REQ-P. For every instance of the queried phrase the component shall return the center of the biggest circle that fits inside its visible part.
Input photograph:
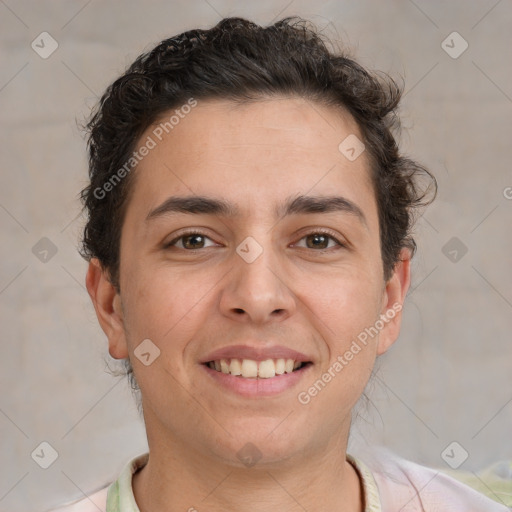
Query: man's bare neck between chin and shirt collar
(181, 478)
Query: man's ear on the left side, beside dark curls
(107, 303)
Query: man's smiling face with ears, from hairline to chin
(275, 256)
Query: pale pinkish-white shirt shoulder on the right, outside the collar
(405, 485)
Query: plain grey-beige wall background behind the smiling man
(448, 378)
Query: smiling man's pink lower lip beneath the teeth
(257, 387)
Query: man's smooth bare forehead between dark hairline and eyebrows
(253, 155)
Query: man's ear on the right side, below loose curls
(392, 301)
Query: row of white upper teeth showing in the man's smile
(250, 369)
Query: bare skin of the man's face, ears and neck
(190, 303)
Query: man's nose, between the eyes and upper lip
(257, 292)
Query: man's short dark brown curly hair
(241, 61)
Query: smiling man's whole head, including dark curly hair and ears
(246, 189)
